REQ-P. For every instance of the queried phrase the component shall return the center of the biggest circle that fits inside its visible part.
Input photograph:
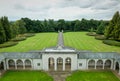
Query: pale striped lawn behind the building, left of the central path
(38, 42)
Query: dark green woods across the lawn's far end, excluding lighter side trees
(52, 25)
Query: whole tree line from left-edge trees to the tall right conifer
(10, 29)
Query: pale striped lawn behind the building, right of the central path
(81, 41)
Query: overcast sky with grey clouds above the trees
(59, 9)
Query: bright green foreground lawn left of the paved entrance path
(25, 76)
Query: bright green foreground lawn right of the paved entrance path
(92, 76)
